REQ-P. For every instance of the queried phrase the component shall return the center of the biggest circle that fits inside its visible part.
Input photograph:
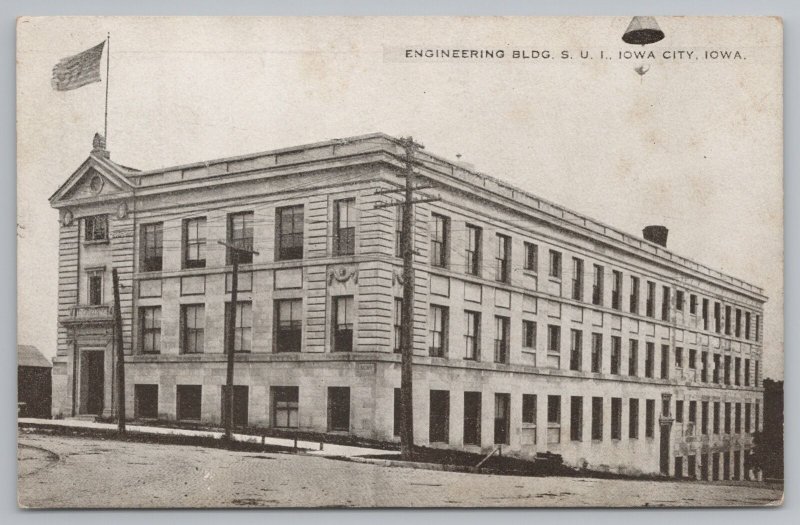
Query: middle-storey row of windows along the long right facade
(438, 347)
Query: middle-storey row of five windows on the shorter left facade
(287, 334)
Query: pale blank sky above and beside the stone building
(694, 144)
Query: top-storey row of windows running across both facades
(289, 246)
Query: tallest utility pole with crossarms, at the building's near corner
(407, 331)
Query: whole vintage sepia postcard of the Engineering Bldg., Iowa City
(400, 262)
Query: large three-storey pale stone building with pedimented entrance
(535, 328)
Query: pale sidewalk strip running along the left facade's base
(307, 447)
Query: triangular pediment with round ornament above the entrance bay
(94, 179)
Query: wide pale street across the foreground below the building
(57, 471)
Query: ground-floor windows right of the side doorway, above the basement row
(729, 413)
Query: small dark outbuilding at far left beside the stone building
(34, 382)
